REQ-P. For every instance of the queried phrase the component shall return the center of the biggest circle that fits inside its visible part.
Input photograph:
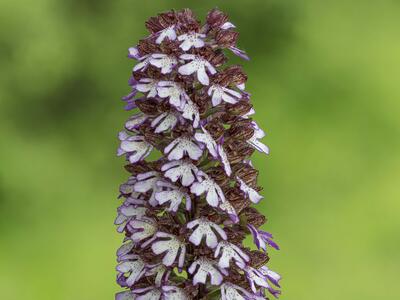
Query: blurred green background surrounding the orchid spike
(324, 78)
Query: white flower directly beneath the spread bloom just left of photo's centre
(183, 170)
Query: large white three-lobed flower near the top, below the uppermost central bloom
(197, 65)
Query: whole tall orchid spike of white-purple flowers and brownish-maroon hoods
(185, 215)
